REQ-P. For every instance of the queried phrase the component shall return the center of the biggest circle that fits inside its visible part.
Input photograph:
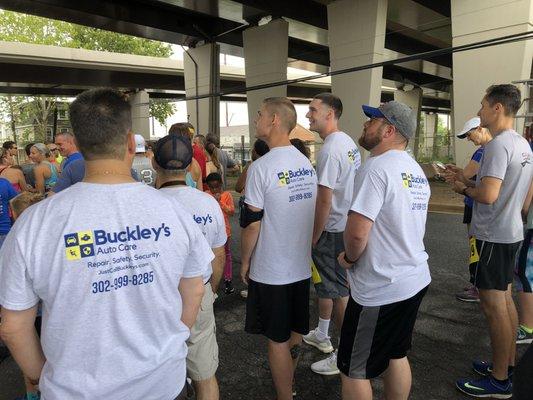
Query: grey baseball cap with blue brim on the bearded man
(398, 114)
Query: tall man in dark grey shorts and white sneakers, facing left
(337, 164)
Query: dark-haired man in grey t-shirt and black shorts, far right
(496, 233)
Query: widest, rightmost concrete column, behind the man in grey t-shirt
(475, 70)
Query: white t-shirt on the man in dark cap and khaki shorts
(205, 211)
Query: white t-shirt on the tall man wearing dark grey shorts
(336, 166)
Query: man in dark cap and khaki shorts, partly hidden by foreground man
(173, 154)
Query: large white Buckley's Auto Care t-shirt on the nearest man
(107, 269)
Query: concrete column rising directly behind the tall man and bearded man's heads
(356, 32)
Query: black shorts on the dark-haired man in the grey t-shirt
(492, 264)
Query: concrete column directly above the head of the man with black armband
(265, 58)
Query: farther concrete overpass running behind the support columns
(58, 71)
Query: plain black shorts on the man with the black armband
(277, 310)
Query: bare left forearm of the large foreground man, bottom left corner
(18, 332)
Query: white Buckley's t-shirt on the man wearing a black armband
(283, 184)
